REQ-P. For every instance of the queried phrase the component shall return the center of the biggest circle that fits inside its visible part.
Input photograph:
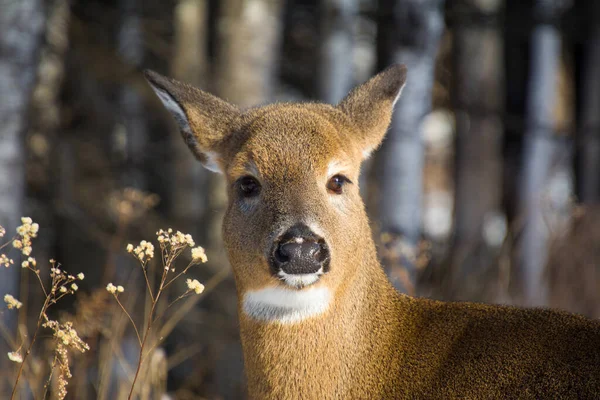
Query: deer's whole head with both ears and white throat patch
(295, 221)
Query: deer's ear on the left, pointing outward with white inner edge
(203, 119)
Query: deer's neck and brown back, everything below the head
(378, 344)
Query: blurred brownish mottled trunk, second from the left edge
(41, 139)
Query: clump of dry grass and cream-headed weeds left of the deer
(111, 345)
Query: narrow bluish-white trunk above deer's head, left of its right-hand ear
(336, 72)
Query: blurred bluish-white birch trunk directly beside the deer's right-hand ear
(408, 33)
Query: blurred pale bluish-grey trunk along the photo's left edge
(21, 28)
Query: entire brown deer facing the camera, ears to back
(318, 316)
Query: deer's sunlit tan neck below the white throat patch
(339, 352)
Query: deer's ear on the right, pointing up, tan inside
(371, 104)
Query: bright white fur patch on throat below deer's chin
(286, 306)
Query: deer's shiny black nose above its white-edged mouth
(299, 251)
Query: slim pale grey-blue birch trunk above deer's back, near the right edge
(541, 150)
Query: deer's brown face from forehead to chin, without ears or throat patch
(295, 216)
